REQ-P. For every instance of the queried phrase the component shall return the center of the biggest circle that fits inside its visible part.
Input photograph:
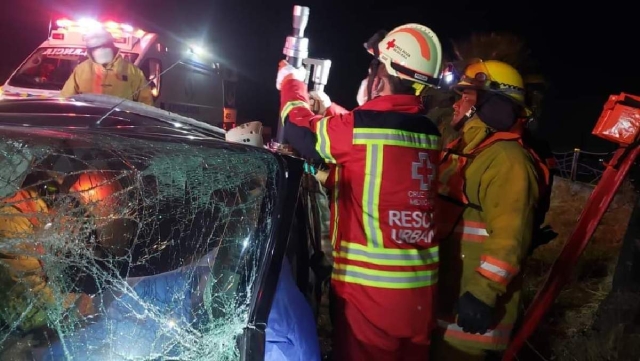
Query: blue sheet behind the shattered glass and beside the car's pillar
(127, 326)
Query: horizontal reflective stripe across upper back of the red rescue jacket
(370, 136)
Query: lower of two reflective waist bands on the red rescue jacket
(384, 279)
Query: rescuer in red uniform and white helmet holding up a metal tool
(383, 190)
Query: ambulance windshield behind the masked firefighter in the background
(49, 68)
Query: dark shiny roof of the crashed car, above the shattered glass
(101, 112)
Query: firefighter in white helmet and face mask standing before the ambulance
(107, 72)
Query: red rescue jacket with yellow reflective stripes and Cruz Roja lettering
(385, 253)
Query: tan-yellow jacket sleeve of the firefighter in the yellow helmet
(508, 197)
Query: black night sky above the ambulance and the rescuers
(586, 52)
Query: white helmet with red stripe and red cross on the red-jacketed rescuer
(413, 52)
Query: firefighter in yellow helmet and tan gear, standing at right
(489, 189)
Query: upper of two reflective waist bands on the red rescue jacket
(388, 256)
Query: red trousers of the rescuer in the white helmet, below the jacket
(356, 339)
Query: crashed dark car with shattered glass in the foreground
(131, 233)
